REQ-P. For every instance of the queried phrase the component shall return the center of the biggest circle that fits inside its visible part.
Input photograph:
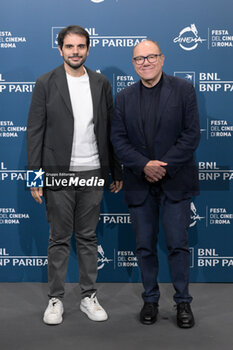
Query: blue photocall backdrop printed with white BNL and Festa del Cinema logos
(196, 38)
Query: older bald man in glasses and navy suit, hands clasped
(155, 133)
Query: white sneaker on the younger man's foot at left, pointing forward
(54, 311)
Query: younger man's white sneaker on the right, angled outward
(92, 308)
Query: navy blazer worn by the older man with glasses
(173, 140)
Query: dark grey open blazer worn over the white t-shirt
(51, 124)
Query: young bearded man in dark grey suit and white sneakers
(68, 132)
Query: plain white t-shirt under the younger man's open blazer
(85, 154)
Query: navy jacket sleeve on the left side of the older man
(127, 153)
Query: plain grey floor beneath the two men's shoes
(22, 306)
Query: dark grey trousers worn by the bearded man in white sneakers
(73, 210)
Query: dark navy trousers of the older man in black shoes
(175, 217)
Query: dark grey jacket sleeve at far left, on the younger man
(36, 127)
